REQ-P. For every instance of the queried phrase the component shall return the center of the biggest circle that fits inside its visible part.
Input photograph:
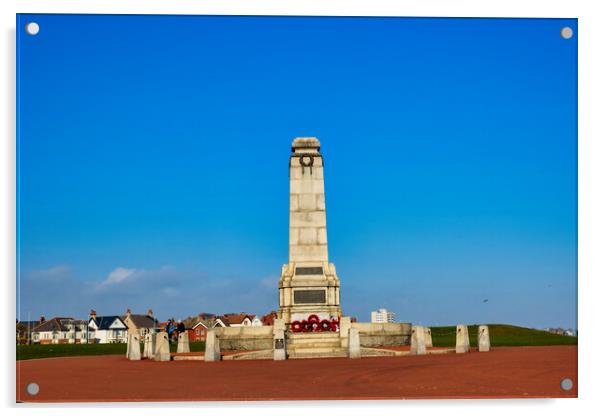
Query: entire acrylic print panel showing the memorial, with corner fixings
(174, 178)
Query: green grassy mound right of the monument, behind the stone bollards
(501, 336)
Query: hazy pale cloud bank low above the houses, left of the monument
(168, 290)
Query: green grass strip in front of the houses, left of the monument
(27, 352)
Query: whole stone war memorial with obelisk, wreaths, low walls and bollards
(310, 321)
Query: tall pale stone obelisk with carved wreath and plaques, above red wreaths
(309, 284)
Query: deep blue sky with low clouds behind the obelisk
(153, 156)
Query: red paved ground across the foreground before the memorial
(503, 372)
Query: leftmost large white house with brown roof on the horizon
(60, 330)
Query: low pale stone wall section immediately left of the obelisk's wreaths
(245, 338)
